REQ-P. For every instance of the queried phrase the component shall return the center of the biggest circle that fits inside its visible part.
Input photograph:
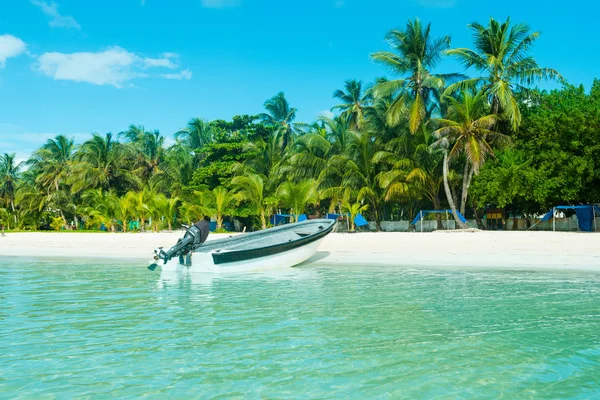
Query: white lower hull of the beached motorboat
(205, 262)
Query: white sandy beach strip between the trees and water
(509, 250)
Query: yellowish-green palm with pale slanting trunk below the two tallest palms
(468, 130)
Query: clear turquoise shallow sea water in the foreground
(74, 330)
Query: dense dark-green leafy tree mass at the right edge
(555, 155)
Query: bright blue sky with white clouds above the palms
(74, 67)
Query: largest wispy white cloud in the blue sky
(114, 66)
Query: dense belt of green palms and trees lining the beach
(420, 139)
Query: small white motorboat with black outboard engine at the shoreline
(277, 247)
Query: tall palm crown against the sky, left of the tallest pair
(417, 52)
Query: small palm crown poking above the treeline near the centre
(281, 116)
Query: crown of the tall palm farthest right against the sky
(502, 55)
